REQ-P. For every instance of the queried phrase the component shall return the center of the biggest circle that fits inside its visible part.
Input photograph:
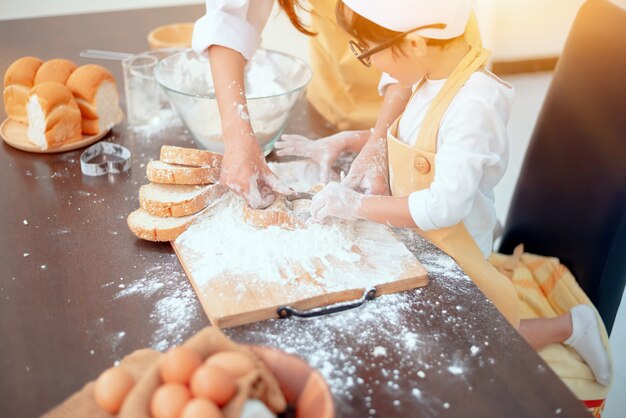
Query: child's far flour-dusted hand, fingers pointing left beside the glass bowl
(323, 151)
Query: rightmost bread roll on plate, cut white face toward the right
(95, 91)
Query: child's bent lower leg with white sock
(578, 329)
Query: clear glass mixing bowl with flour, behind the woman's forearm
(274, 83)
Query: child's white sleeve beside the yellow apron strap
(472, 138)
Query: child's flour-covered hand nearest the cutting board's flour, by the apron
(336, 200)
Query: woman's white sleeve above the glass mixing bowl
(235, 24)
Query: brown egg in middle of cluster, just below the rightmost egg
(214, 384)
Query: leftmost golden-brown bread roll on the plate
(18, 80)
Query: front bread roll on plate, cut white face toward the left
(53, 116)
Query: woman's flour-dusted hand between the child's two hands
(368, 173)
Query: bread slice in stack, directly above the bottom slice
(167, 200)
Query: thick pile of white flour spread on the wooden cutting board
(225, 244)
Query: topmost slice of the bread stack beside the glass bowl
(162, 172)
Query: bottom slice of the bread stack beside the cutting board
(155, 228)
